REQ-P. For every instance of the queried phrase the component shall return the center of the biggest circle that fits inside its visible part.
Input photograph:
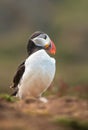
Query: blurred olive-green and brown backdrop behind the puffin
(65, 21)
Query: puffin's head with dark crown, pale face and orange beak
(39, 40)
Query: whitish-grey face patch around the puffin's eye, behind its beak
(42, 40)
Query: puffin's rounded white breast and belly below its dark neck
(38, 75)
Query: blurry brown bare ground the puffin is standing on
(35, 115)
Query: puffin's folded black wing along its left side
(18, 75)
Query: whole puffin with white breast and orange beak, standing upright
(35, 74)
